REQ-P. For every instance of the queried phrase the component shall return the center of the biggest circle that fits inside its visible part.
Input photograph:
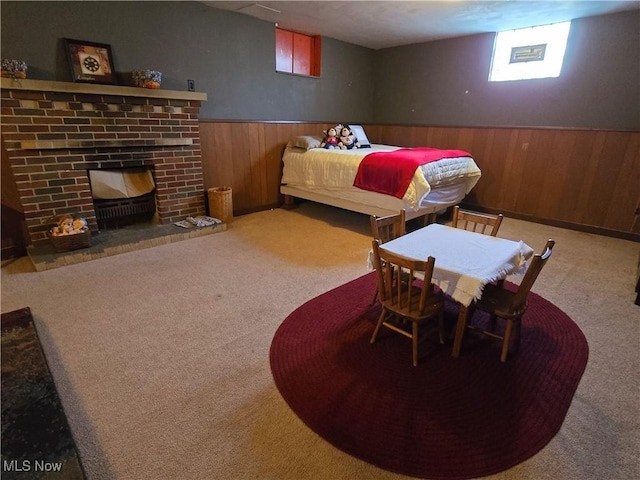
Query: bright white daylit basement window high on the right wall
(535, 52)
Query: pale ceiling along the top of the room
(383, 24)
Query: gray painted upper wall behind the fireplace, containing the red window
(230, 56)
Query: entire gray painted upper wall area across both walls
(231, 58)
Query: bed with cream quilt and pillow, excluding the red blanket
(328, 176)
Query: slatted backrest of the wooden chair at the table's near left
(396, 288)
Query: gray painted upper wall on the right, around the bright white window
(445, 82)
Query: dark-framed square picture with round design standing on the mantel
(90, 62)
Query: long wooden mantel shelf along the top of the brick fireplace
(98, 89)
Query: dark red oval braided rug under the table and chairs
(445, 419)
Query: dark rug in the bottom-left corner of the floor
(36, 439)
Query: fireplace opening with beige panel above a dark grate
(122, 197)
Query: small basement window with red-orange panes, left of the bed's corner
(298, 53)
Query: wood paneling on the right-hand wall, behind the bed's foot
(586, 179)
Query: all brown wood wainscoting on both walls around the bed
(582, 179)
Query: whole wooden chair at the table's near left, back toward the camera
(405, 305)
